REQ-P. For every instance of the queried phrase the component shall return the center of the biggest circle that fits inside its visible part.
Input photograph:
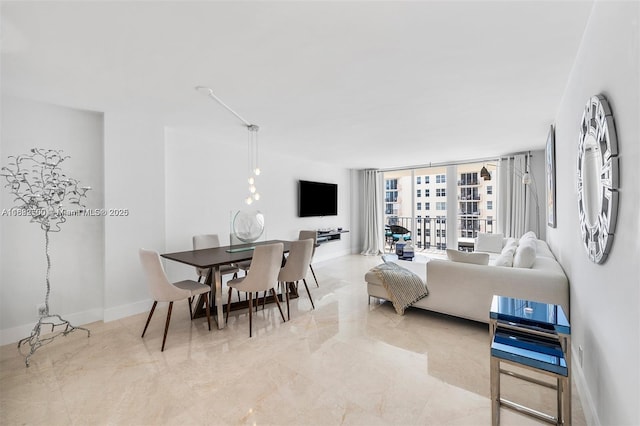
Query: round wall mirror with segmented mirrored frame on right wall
(597, 178)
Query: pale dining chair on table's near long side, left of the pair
(265, 266)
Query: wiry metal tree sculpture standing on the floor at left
(41, 188)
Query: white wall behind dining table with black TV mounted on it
(206, 179)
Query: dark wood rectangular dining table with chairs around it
(212, 259)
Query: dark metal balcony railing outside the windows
(431, 233)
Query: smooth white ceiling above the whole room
(360, 84)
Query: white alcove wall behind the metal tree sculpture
(77, 252)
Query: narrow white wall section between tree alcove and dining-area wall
(134, 180)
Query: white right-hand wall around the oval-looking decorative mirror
(605, 299)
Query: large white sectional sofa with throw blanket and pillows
(465, 290)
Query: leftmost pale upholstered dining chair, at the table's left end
(163, 291)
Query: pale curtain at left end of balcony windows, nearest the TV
(372, 211)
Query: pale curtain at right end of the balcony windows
(512, 209)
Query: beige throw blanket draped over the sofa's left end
(403, 286)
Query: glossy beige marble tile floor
(346, 362)
